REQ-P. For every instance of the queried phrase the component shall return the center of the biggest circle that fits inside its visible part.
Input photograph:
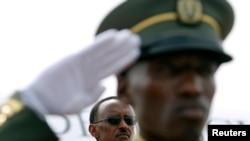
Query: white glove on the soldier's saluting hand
(74, 83)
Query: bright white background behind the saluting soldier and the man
(35, 34)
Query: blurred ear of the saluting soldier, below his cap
(122, 90)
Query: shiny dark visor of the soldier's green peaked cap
(185, 43)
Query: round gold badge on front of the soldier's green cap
(189, 11)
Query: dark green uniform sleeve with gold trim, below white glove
(23, 125)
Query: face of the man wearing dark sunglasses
(112, 129)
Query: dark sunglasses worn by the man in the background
(115, 120)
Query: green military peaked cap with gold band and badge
(175, 25)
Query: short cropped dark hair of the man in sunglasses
(95, 108)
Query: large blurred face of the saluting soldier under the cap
(171, 95)
